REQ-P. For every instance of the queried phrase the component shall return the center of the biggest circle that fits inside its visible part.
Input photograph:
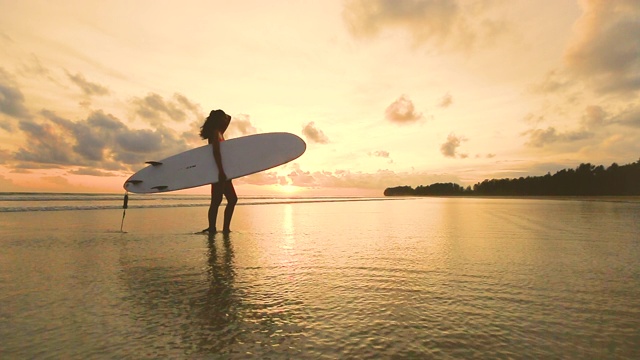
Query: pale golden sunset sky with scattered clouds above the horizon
(384, 92)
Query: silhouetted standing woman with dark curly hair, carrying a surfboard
(213, 130)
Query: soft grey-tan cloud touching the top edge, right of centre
(444, 23)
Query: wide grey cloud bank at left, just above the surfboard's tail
(99, 142)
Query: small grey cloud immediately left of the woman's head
(156, 110)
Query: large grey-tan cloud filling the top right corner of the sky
(604, 49)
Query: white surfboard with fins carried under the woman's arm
(196, 167)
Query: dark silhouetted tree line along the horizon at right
(585, 180)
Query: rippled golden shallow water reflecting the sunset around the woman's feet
(436, 277)
